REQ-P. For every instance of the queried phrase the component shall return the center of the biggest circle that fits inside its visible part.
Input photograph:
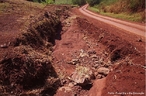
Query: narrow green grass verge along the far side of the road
(136, 17)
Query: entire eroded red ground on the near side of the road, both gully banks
(60, 52)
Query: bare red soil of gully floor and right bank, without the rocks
(123, 53)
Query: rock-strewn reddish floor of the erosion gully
(75, 55)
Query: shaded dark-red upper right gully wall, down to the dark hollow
(116, 47)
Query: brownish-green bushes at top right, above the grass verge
(116, 6)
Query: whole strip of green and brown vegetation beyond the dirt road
(133, 10)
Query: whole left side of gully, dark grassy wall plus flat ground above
(25, 62)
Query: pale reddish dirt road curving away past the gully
(127, 26)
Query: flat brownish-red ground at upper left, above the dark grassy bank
(12, 22)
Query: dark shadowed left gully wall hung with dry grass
(28, 65)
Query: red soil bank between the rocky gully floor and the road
(127, 62)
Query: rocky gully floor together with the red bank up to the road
(92, 61)
